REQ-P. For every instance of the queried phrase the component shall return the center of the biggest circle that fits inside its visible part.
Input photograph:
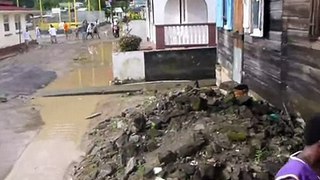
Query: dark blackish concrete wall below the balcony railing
(186, 64)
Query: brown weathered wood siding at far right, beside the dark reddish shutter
(302, 58)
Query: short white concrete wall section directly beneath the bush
(128, 65)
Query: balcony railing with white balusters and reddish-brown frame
(185, 35)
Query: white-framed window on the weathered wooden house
(253, 20)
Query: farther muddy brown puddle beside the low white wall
(93, 69)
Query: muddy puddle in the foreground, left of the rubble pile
(57, 144)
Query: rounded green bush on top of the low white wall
(129, 43)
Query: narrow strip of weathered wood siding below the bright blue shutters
(225, 49)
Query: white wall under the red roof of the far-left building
(11, 38)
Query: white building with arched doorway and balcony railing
(181, 23)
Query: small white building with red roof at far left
(12, 20)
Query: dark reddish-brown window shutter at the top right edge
(314, 20)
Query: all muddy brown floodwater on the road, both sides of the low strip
(58, 144)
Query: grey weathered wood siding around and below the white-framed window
(262, 56)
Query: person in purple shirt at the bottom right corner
(305, 165)
